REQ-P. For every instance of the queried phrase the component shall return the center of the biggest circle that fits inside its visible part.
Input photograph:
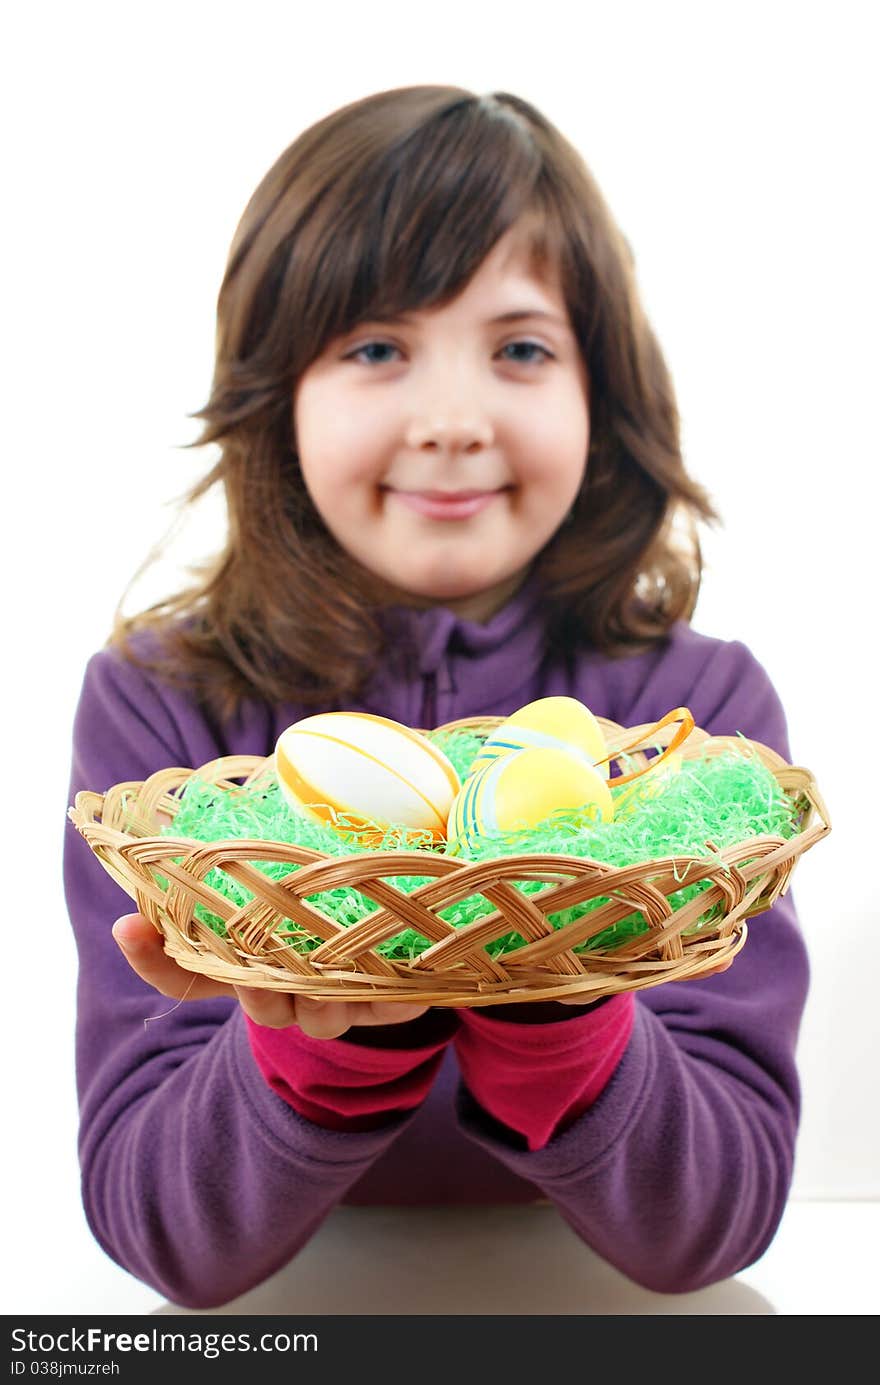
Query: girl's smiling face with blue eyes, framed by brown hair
(444, 451)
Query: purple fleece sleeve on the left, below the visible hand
(196, 1177)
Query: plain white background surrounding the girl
(737, 146)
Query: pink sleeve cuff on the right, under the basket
(538, 1078)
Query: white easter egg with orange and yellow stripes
(368, 768)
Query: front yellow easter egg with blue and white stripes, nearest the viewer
(523, 789)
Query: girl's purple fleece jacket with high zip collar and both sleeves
(202, 1182)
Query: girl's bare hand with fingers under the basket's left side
(142, 948)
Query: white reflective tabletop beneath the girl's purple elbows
(526, 1260)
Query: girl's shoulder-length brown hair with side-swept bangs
(391, 204)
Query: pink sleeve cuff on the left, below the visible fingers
(353, 1084)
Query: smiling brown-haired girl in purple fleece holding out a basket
(451, 455)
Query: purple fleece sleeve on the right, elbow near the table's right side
(681, 1171)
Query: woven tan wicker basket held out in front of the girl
(123, 826)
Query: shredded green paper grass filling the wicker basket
(721, 800)
